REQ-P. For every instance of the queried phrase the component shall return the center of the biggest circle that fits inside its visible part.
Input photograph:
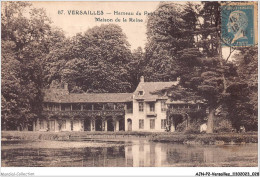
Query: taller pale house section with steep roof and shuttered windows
(149, 108)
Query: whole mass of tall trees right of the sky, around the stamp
(193, 51)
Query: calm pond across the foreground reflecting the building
(134, 153)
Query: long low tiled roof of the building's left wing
(59, 97)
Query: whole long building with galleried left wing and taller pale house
(143, 110)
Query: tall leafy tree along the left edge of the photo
(24, 44)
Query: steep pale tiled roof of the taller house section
(150, 88)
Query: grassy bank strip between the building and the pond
(169, 137)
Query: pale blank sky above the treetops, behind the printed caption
(72, 24)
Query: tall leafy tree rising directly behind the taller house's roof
(164, 41)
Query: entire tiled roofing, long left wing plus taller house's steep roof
(149, 94)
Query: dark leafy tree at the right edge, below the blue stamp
(242, 103)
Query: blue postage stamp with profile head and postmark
(238, 24)
